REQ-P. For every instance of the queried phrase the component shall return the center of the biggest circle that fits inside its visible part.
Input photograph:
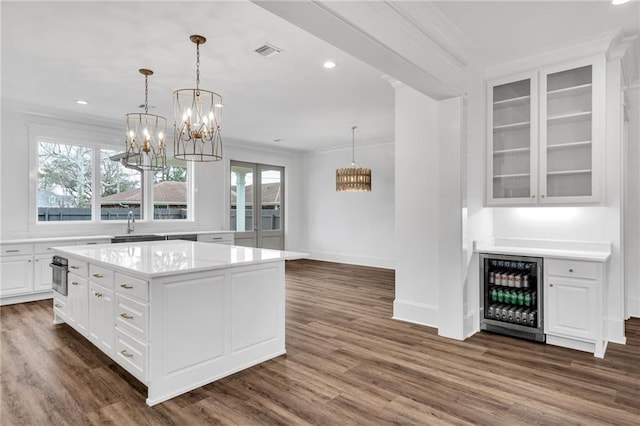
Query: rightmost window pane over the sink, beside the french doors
(170, 190)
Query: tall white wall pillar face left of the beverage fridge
(417, 190)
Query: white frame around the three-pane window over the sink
(96, 141)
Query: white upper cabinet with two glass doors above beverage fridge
(546, 132)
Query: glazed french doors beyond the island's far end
(257, 205)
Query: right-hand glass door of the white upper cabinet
(566, 135)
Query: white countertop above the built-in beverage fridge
(574, 250)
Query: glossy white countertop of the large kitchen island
(163, 258)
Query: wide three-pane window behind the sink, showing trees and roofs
(68, 173)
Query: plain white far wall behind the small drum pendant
(350, 227)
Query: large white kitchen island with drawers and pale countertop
(177, 314)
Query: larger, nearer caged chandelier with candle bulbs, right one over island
(197, 115)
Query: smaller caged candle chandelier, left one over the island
(145, 135)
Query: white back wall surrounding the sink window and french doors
(211, 179)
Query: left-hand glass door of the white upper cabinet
(512, 135)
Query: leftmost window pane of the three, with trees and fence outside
(65, 182)
